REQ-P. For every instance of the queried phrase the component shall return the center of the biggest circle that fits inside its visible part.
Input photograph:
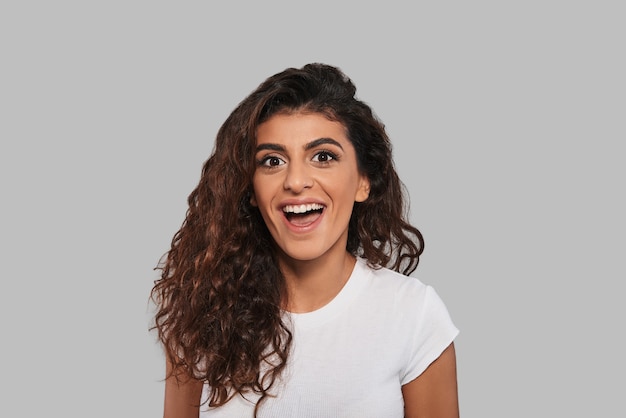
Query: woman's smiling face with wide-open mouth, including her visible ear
(305, 184)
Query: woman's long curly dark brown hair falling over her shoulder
(220, 292)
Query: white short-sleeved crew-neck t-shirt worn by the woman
(351, 357)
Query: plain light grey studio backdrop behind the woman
(507, 119)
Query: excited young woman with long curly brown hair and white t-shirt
(286, 292)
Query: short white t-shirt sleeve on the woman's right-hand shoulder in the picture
(432, 331)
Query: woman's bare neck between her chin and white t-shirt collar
(314, 283)
